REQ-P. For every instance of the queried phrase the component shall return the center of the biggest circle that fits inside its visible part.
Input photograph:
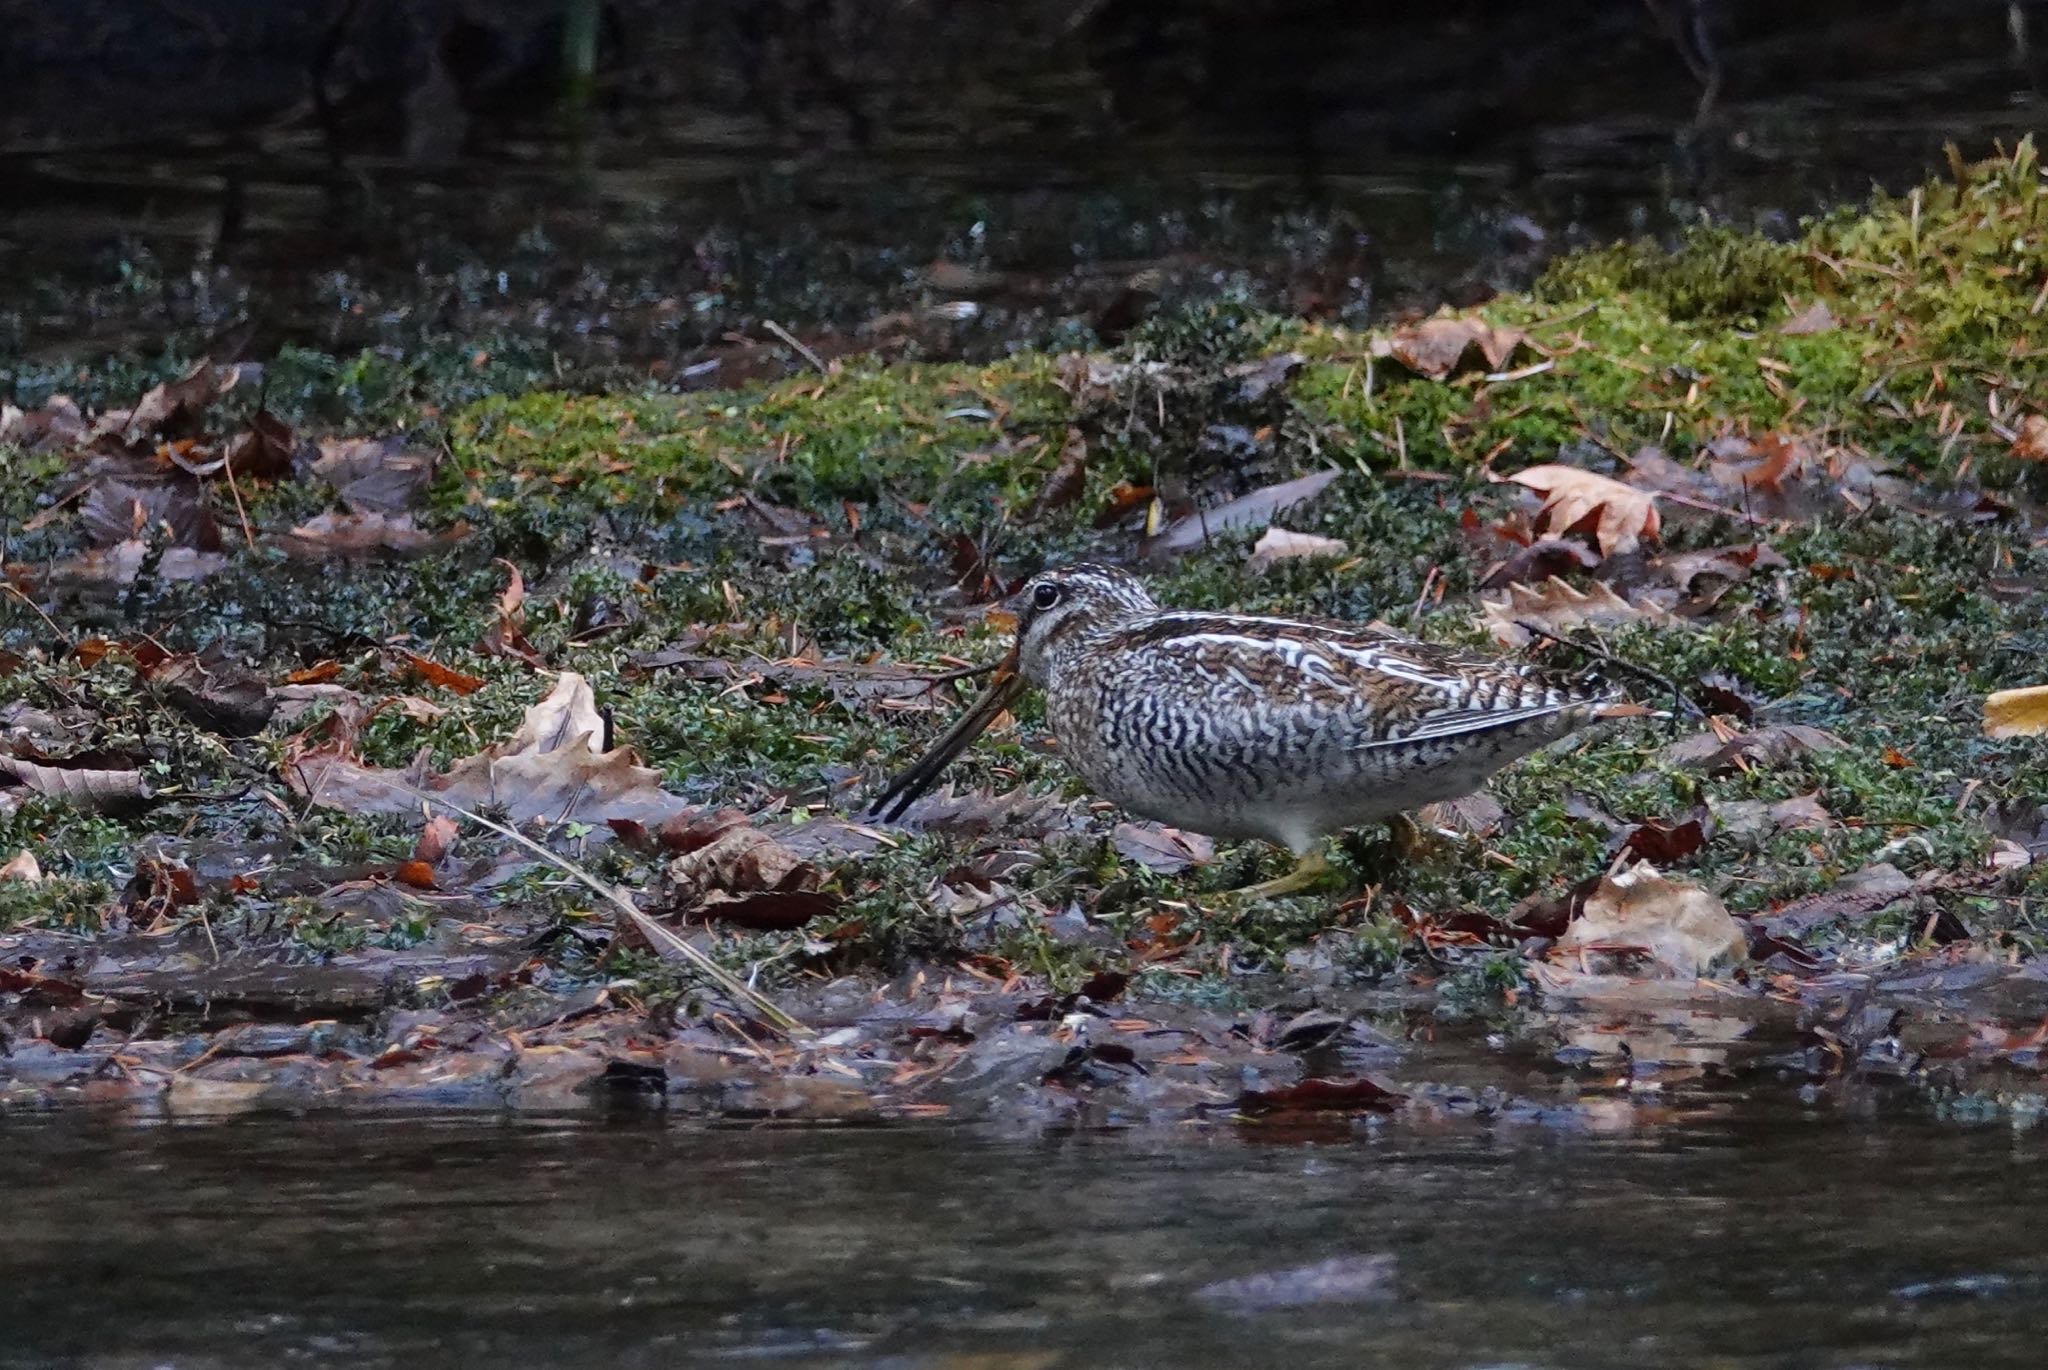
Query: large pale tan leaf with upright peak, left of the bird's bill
(550, 769)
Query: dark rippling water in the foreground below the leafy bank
(1777, 1242)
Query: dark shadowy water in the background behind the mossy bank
(1062, 165)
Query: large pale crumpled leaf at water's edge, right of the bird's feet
(1639, 912)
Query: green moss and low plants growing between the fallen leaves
(701, 515)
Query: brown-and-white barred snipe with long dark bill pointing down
(1246, 726)
